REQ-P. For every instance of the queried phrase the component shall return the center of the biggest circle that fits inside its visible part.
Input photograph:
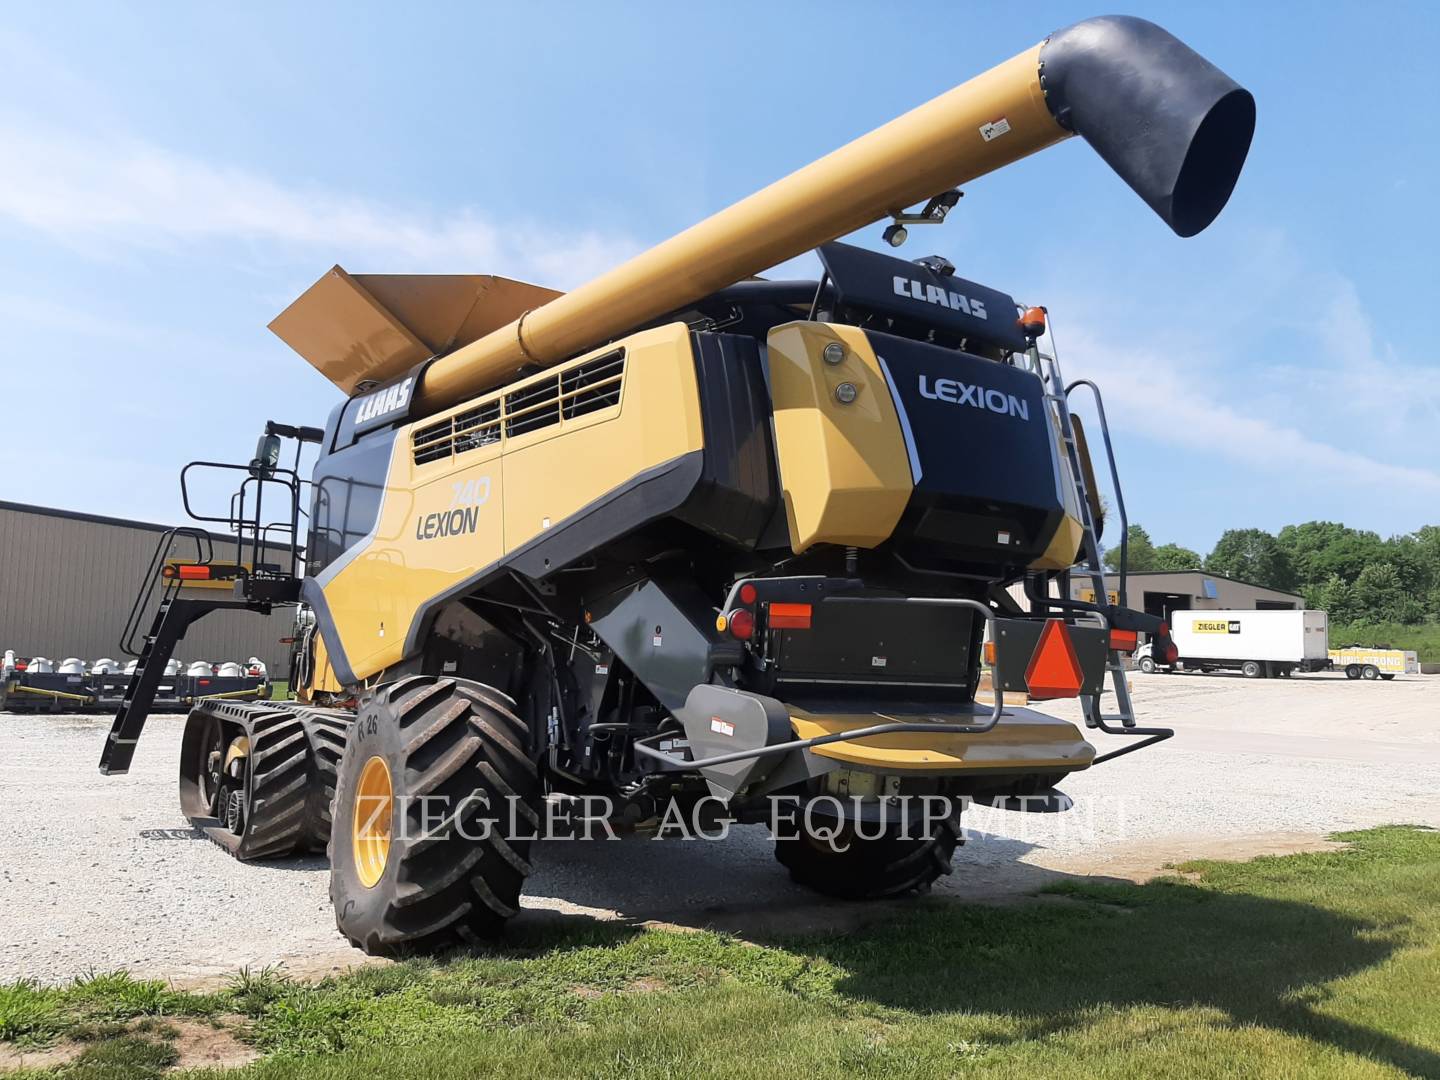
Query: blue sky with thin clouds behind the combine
(174, 175)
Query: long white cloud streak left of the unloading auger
(106, 191)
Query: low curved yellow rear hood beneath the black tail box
(1022, 742)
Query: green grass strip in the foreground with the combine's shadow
(1302, 966)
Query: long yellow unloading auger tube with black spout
(1174, 127)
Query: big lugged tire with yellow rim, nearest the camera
(436, 804)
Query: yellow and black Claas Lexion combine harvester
(688, 535)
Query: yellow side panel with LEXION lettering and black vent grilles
(506, 493)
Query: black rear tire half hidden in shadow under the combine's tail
(863, 869)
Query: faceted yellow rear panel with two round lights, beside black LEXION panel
(845, 470)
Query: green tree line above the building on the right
(1353, 574)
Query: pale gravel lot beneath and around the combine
(103, 873)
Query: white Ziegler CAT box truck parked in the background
(1259, 644)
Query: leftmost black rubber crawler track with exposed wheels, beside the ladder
(244, 778)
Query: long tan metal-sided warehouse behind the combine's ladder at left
(68, 582)
